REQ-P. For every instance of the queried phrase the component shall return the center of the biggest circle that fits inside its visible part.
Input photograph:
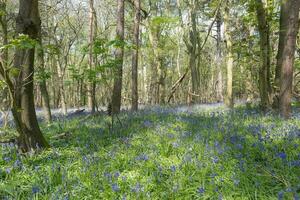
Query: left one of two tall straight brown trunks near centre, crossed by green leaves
(118, 76)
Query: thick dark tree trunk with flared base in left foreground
(23, 109)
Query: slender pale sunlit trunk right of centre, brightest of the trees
(229, 58)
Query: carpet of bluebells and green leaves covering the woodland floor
(161, 153)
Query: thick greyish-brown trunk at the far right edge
(289, 30)
